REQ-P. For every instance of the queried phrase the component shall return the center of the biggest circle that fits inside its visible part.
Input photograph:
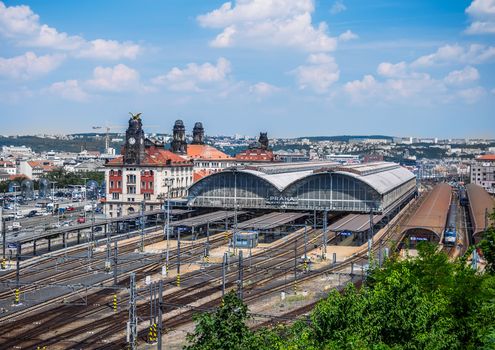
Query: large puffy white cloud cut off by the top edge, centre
(267, 23)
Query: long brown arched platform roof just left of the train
(432, 213)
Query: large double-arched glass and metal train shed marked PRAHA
(307, 186)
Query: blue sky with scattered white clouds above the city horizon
(289, 67)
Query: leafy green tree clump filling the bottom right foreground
(426, 302)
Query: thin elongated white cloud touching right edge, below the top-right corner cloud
(448, 54)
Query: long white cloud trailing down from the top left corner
(22, 25)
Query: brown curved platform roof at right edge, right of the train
(481, 204)
